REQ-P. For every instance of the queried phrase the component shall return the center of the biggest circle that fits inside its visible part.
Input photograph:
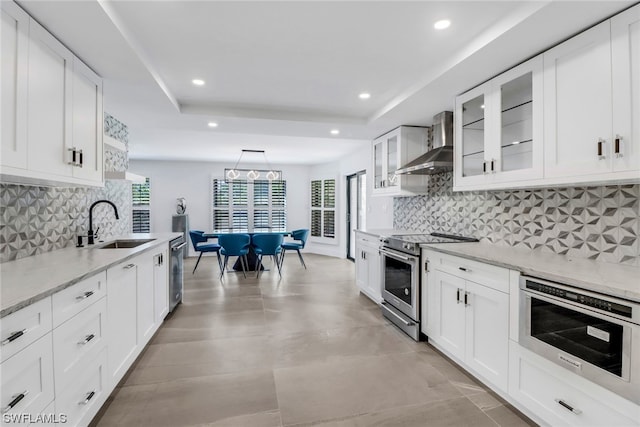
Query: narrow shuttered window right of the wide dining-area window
(323, 208)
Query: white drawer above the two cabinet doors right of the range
(479, 272)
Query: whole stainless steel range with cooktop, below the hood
(401, 277)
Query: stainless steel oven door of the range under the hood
(400, 281)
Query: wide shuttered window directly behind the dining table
(241, 205)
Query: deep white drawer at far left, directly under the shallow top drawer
(29, 374)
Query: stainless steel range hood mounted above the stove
(440, 158)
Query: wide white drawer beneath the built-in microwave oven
(540, 387)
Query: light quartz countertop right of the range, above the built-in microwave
(617, 280)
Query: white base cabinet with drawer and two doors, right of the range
(468, 315)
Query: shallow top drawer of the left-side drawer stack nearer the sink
(69, 302)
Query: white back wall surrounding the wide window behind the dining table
(192, 180)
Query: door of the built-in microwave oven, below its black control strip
(588, 343)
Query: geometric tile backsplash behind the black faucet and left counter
(41, 219)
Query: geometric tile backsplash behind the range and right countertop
(601, 223)
